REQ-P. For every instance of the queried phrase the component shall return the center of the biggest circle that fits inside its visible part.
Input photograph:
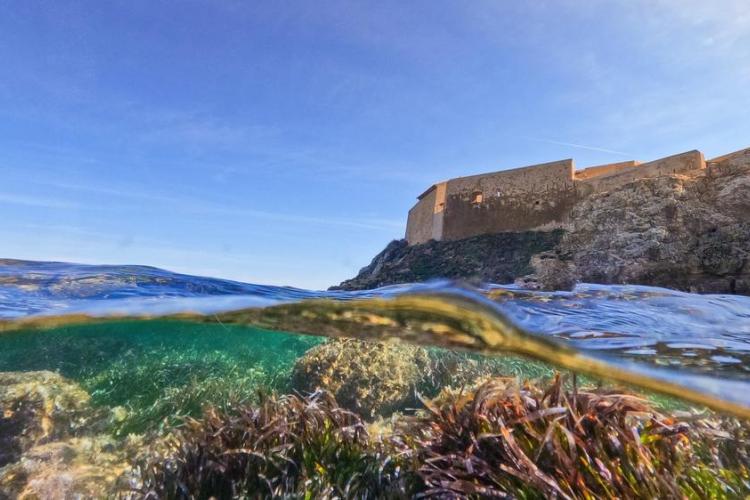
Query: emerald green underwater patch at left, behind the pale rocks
(155, 373)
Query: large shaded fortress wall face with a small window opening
(535, 197)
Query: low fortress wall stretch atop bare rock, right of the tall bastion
(676, 164)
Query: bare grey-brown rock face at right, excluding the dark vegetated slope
(686, 232)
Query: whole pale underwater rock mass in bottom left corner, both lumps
(52, 443)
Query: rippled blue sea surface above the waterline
(692, 334)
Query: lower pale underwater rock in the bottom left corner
(86, 467)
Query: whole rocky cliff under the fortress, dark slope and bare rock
(685, 231)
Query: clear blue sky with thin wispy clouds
(283, 142)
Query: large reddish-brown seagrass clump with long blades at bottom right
(504, 440)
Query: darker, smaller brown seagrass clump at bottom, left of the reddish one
(287, 446)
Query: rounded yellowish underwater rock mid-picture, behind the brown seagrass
(368, 378)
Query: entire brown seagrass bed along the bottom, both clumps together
(500, 440)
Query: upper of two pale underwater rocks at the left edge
(38, 407)
